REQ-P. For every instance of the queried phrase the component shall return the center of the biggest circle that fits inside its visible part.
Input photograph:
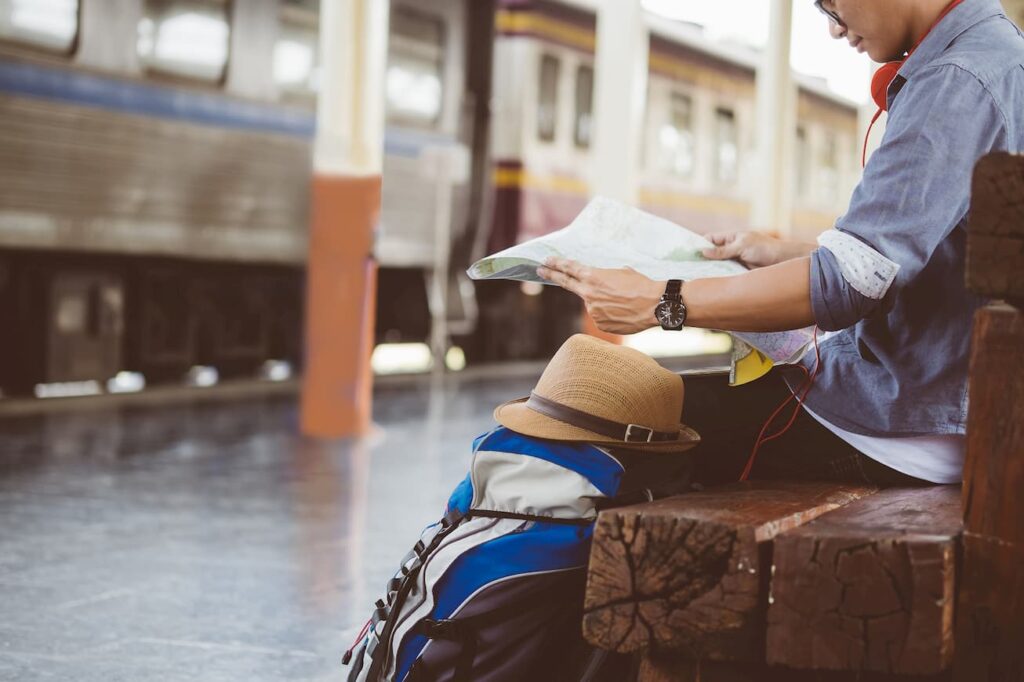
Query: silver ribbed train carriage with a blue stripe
(155, 182)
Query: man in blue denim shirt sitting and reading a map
(889, 402)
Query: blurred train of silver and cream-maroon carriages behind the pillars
(156, 170)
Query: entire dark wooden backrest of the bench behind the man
(991, 607)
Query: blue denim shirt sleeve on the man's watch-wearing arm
(915, 191)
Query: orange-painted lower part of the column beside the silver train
(342, 300)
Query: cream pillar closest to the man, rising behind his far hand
(777, 126)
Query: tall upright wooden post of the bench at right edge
(991, 607)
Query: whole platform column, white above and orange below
(342, 287)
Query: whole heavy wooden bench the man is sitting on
(777, 581)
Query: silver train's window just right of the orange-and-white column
(415, 70)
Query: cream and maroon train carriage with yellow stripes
(698, 163)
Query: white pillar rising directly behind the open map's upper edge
(620, 96)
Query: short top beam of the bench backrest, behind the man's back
(996, 239)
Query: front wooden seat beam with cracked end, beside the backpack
(691, 573)
